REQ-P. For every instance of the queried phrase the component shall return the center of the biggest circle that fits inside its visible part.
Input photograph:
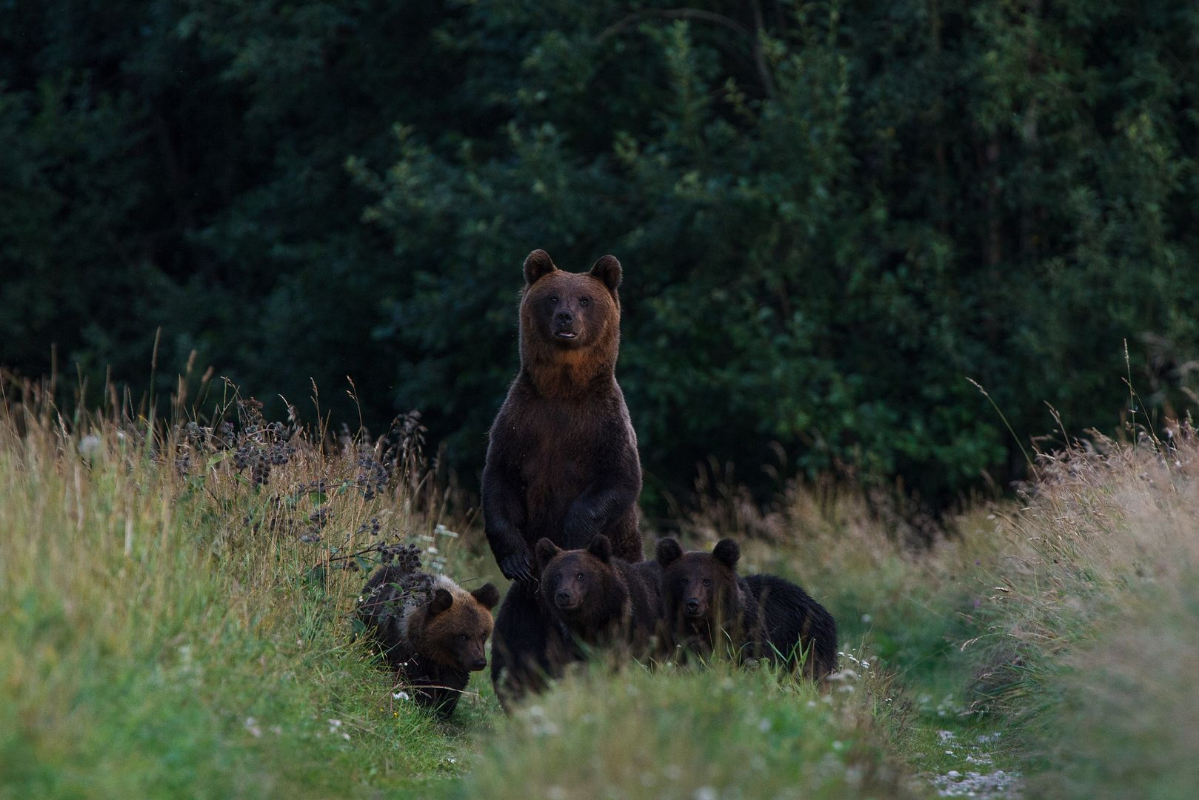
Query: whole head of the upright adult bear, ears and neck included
(570, 320)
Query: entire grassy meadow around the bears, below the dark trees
(177, 604)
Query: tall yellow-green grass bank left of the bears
(166, 633)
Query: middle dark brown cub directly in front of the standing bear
(599, 600)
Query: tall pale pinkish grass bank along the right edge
(1092, 648)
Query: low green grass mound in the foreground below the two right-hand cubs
(715, 733)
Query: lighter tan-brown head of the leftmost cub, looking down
(455, 625)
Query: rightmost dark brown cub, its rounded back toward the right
(760, 617)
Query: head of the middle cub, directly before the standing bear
(582, 587)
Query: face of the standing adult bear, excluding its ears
(573, 311)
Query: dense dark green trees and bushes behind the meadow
(830, 215)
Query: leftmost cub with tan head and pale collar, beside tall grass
(430, 630)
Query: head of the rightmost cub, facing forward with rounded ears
(700, 591)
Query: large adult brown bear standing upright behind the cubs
(562, 462)
